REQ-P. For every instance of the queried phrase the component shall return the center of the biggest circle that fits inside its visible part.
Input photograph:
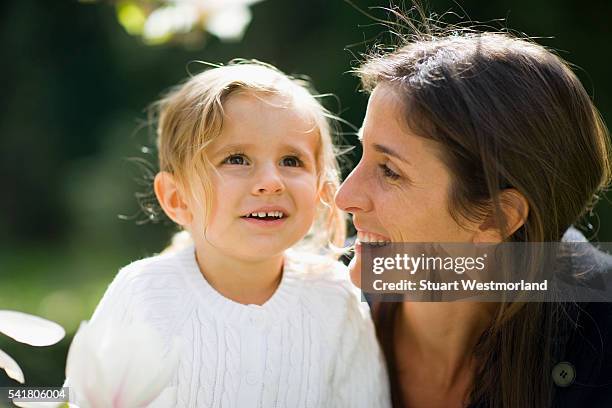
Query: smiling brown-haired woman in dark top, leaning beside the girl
(482, 137)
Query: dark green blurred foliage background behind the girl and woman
(74, 89)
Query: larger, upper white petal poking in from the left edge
(30, 329)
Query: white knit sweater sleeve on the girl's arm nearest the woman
(360, 377)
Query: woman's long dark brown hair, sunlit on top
(506, 113)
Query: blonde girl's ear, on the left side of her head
(171, 199)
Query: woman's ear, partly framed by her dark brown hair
(515, 209)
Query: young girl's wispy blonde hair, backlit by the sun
(190, 117)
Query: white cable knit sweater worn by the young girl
(312, 344)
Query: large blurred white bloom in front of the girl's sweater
(120, 366)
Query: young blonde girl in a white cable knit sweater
(247, 169)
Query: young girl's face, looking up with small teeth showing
(265, 184)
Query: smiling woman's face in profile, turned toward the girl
(398, 191)
